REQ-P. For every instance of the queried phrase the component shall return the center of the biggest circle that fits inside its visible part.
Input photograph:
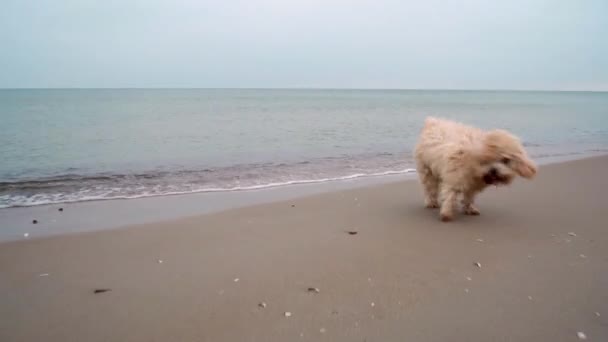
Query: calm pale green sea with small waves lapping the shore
(74, 145)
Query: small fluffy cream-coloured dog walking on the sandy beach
(455, 160)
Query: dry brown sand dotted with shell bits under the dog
(405, 276)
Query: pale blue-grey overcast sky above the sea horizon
(475, 44)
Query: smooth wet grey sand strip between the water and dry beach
(95, 215)
